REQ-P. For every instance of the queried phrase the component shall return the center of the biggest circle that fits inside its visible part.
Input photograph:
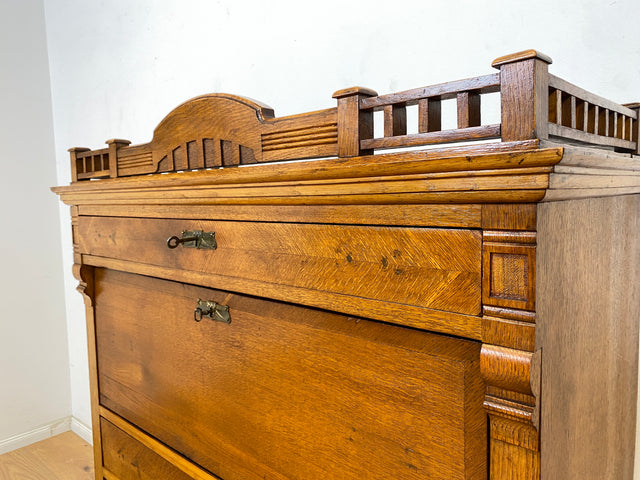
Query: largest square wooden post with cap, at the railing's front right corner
(524, 95)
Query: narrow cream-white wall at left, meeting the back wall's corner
(34, 373)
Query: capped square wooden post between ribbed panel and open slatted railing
(353, 124)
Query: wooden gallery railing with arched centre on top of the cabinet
(225, 130)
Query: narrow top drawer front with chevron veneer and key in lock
(438, 269)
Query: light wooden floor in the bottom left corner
(63, 457)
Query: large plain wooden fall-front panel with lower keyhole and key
(286, 392)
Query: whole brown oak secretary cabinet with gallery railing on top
(467, 311)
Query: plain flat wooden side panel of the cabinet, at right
(588, 309)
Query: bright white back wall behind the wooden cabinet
(117, 67)
